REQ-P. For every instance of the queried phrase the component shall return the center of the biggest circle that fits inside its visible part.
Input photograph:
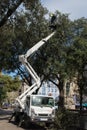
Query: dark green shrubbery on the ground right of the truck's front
(65, 119)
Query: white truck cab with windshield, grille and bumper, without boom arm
(40, 108)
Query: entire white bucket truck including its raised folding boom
(35, 108)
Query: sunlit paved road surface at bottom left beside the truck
(5, 125)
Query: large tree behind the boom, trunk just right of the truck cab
(51, 58)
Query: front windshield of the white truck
(42, 101)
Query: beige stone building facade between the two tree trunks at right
(70, 94)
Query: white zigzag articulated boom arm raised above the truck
(23, 59)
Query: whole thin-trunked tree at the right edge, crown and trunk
(76, 54)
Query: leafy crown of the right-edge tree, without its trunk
(77, 51)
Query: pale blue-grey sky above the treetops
(75, 8)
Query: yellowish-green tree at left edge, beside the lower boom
(8, 84)
